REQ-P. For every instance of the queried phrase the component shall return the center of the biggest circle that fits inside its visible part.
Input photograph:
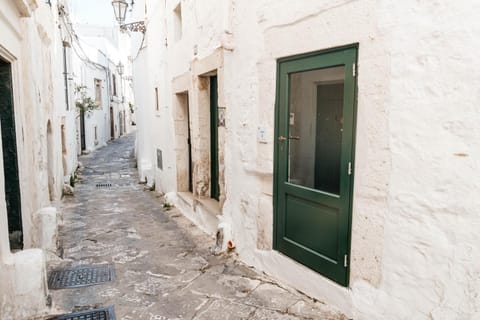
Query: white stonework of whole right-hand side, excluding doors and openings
(414, 246)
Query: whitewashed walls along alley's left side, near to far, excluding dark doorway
(32, 39)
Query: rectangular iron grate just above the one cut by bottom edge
(81, 276)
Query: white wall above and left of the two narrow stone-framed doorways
(157, 66)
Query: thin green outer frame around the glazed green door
(276, 165)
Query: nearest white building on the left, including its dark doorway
(38, 149)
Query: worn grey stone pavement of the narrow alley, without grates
(164, 268)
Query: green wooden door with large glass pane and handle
(315, 121)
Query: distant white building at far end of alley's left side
(97, 55)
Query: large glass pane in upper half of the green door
(315, 128)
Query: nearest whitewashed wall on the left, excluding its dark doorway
(30, 41)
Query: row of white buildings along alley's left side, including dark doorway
(42, 65)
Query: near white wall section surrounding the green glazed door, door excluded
(413, 231)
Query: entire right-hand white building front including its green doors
(379, 218)
